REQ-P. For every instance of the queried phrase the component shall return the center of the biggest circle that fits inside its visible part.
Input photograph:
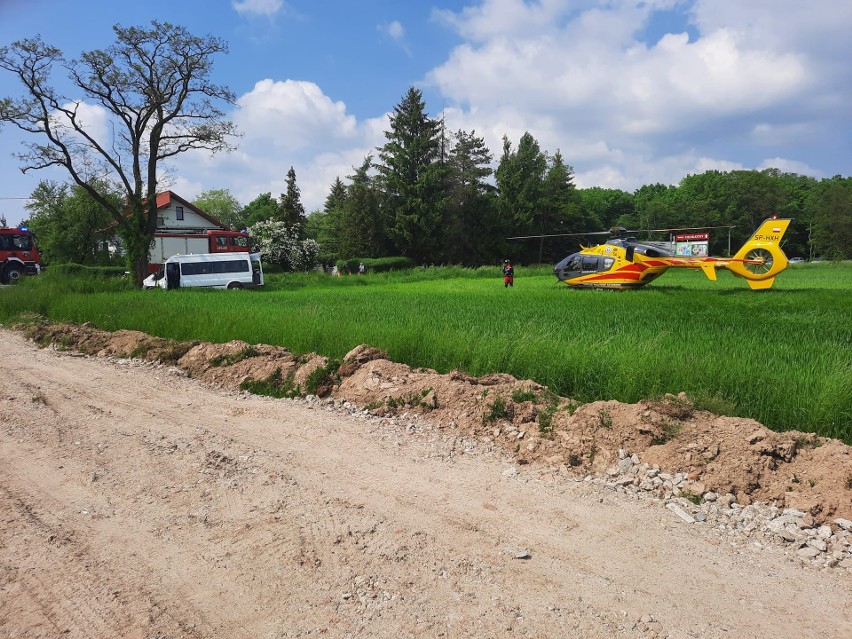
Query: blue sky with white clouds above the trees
(630, 92)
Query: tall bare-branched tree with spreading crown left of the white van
(153, 87)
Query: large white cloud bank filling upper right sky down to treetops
(575, 74)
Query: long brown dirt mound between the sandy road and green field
(715, 454)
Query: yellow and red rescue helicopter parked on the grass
(623, 263)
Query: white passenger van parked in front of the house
(212, 270)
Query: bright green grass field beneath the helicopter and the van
(783, 356)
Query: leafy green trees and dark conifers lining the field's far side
(432, 196)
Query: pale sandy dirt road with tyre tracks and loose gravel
(137, 503)
